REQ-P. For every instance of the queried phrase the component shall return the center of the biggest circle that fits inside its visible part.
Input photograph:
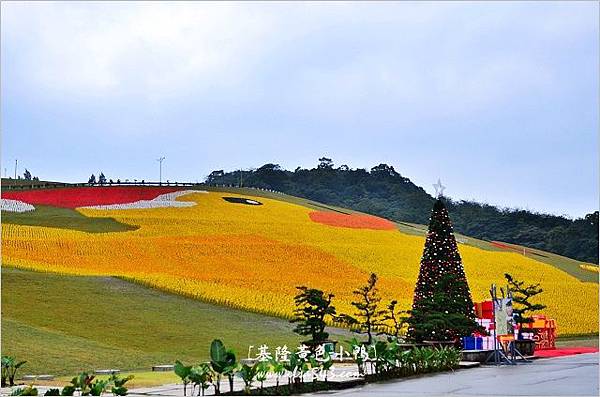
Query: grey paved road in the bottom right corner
(564, 376)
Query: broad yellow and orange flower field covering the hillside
(252, 257)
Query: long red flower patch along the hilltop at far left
(73, 197)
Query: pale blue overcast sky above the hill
(499, 100)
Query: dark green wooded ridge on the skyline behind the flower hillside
(384, 192)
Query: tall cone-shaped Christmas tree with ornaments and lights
(442, 307)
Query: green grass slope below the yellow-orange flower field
(65, 324)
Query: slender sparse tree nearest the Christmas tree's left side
(368, 317)
